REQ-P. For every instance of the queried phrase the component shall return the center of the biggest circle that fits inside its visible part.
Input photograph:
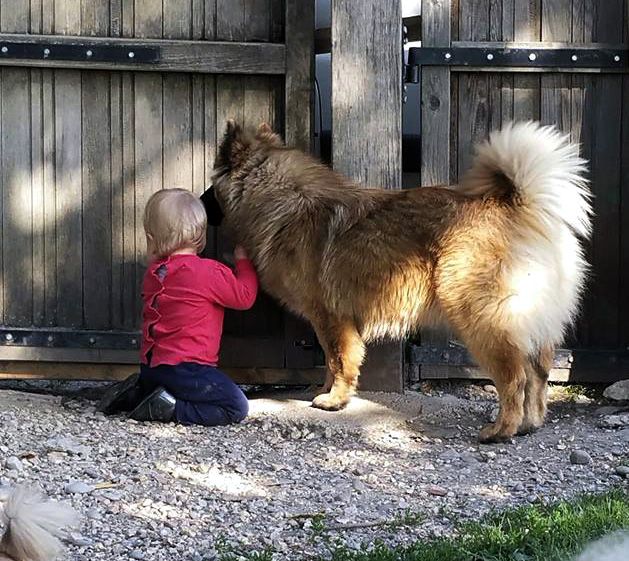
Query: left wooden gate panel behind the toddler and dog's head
(103, 102)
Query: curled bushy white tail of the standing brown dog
(539, 170)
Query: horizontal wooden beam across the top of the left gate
(210, 57)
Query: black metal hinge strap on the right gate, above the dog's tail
(504, 56)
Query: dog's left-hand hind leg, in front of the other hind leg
(505, 364)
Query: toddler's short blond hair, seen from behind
(174, 219)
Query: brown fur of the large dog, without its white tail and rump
(365, 264)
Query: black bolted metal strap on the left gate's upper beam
(84, 52)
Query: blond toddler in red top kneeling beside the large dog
(184, 300)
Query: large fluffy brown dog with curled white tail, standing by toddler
(497, 258)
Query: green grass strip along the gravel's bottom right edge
(532, 533)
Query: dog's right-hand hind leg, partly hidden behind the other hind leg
(537, 372)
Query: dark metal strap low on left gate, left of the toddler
(69, 338)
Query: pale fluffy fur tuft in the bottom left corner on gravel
(33, 525)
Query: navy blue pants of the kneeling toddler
(205, 396)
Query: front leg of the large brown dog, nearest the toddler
(344, 352)
